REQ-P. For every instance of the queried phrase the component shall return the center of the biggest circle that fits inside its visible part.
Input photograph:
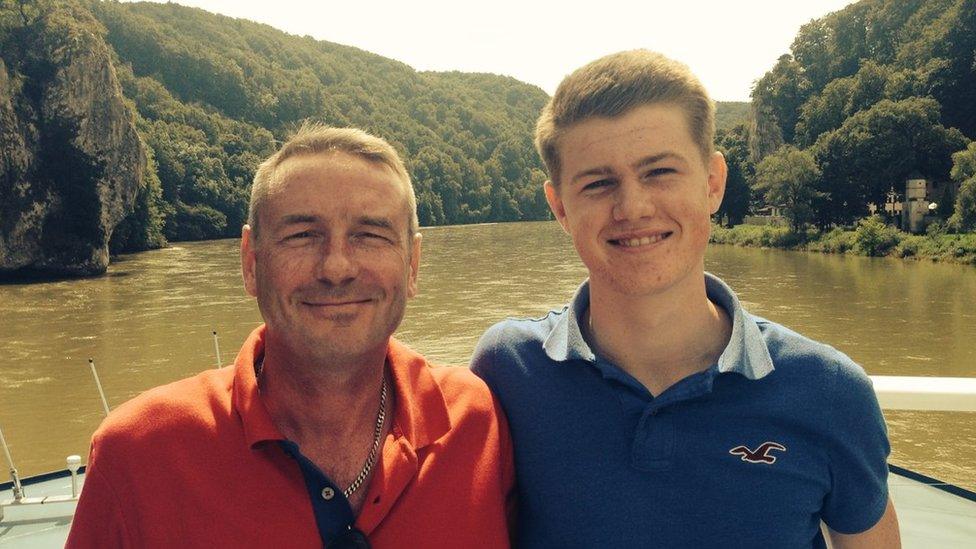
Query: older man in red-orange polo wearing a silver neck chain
(326, 431)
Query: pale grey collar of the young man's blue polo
(746, 353)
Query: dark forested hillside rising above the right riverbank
(869, 95)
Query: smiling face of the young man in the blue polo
(636, 196)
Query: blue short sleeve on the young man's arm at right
(858, 451)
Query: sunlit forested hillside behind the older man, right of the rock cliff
(213, 93)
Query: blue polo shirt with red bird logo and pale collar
(781, 433)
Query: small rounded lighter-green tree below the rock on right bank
(788, 178)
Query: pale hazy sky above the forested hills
(728, 44)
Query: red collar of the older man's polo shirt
(421, 413)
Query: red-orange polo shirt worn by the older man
(197, 463)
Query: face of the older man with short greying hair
(334, 265)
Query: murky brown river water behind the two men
(150, 319)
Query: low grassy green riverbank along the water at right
(871, 238)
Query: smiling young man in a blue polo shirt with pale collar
(653, 411)
